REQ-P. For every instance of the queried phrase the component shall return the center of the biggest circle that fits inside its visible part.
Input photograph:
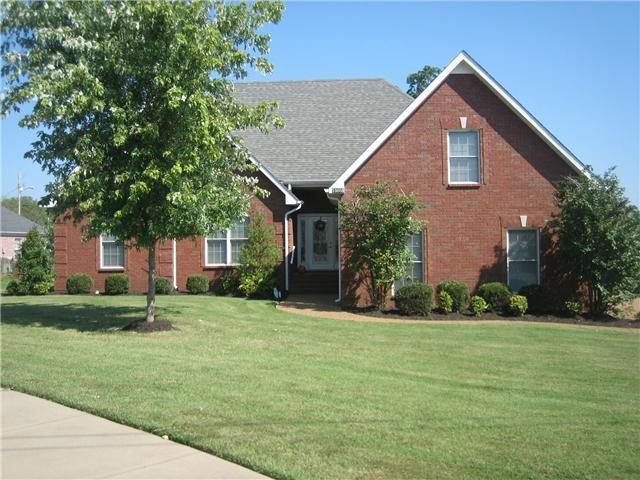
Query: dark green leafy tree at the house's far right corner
(598, 232)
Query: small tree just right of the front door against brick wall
(375, 226)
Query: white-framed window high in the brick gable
(464, 157)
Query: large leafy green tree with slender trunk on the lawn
(135, 110)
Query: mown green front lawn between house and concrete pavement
(300, 397)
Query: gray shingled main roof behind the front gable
(329, 124)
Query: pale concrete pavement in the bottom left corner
(41, 439)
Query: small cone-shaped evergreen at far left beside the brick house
(34, 268)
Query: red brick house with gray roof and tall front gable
(481, 165)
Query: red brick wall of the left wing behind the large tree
(72, 255)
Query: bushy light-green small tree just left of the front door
(259, 259)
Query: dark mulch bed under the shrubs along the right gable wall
(605, 321)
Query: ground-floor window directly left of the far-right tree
(523, 259)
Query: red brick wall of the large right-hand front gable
(465, 229)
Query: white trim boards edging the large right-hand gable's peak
(463, 64)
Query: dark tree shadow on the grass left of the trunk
(82, 317)
